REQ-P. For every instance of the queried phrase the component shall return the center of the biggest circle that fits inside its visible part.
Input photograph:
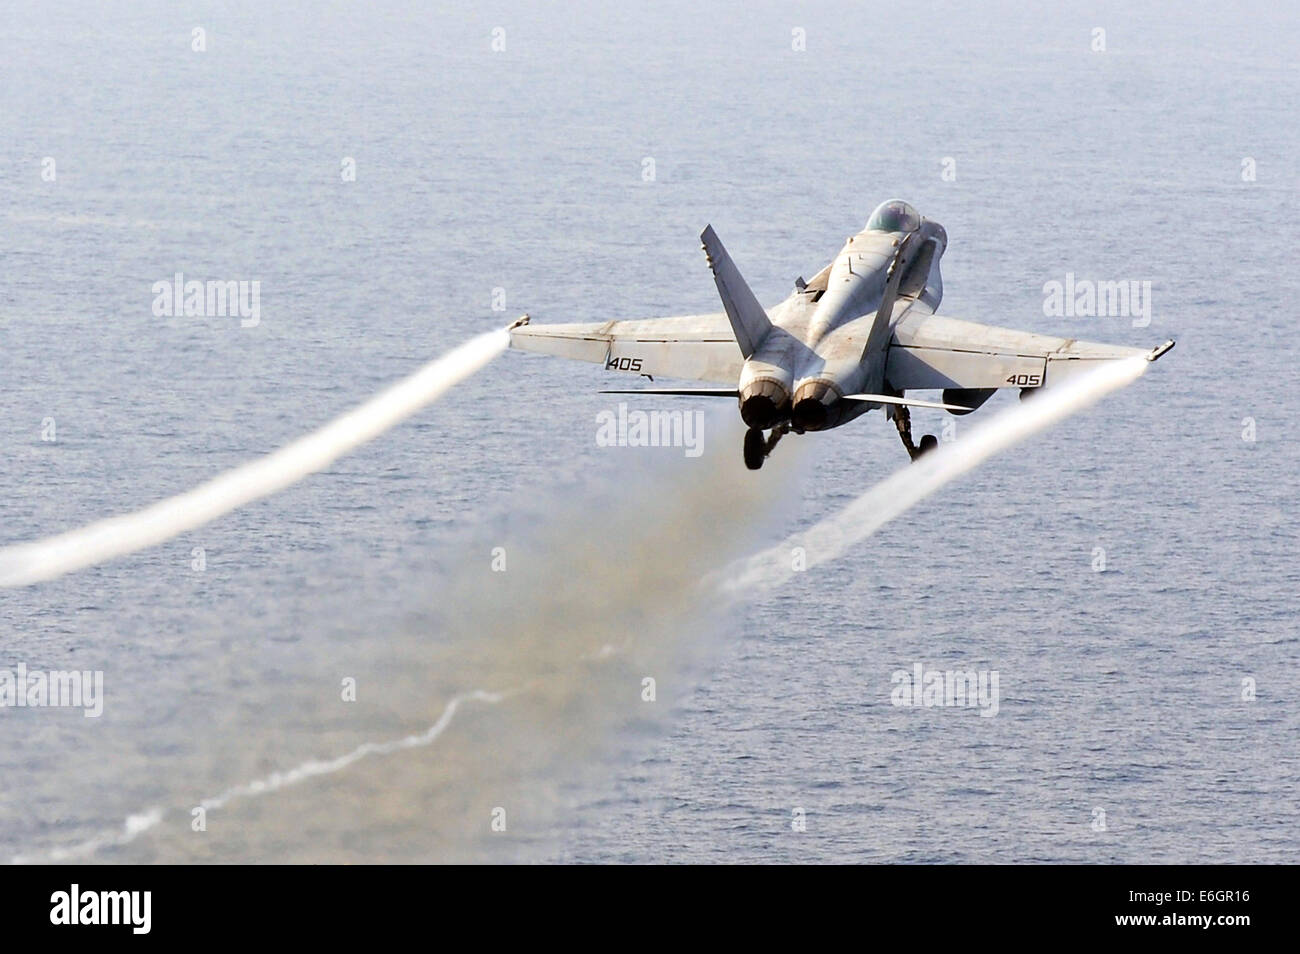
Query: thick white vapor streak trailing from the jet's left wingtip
(45, 560)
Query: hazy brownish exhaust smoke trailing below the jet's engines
(599, 593)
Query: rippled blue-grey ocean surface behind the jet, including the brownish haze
(489, 183)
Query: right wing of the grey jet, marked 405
(931, 352)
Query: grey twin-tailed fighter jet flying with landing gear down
(861, 335)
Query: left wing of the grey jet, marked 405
(696, 348)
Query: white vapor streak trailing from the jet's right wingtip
(831, 537)
